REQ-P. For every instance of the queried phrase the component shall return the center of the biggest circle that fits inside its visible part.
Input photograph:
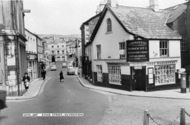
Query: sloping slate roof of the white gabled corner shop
(145, 22)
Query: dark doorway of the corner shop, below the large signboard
(139, 78)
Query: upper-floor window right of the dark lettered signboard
(164, 48)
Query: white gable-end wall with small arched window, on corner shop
(109, 41)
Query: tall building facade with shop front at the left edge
(12, 46)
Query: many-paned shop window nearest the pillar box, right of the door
(164, 74)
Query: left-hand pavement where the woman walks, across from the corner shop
(35, 88)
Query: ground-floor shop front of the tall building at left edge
(13, 63)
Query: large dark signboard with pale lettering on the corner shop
(137, 51)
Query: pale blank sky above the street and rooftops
(64, 17)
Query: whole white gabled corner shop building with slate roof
(132, 48)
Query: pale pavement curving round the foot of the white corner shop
(168, 94)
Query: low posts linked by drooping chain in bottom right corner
(148, 117)
